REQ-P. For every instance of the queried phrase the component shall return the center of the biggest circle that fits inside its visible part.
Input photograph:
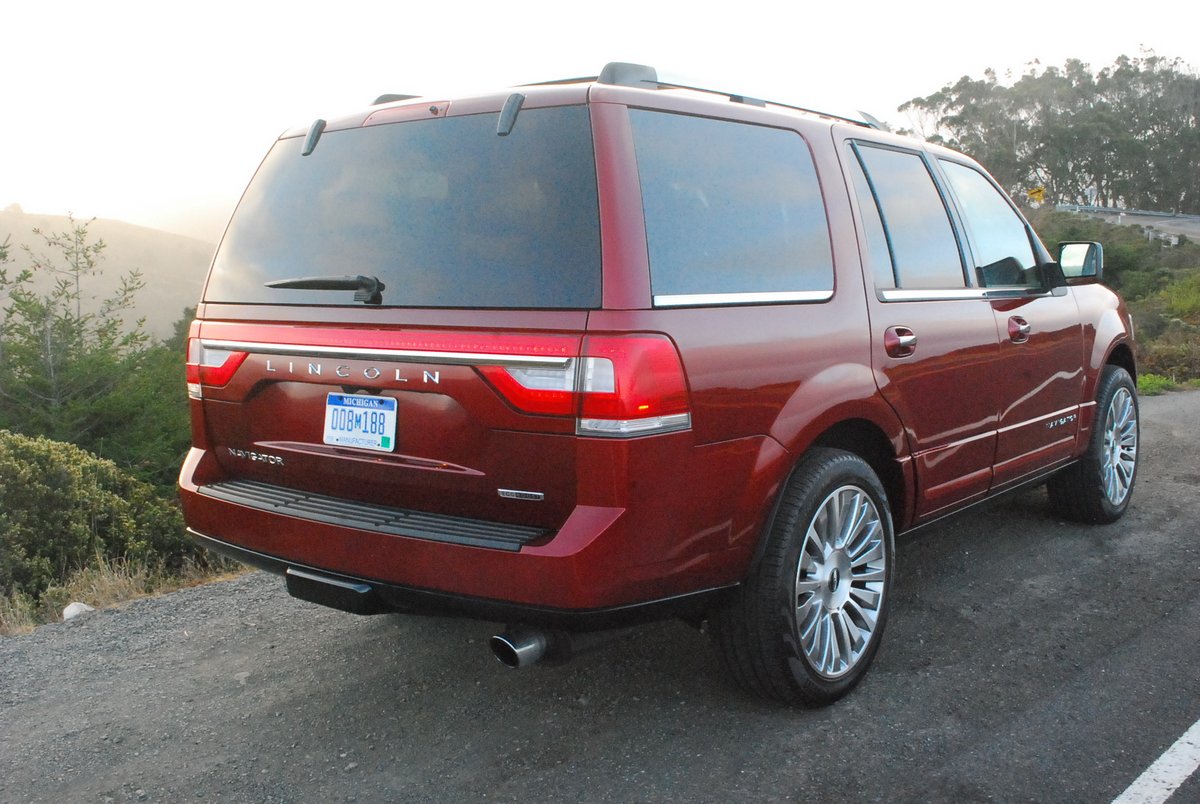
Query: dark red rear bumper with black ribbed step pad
(604, 566)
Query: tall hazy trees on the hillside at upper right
(1126, 136)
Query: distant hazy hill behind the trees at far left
(173, 267)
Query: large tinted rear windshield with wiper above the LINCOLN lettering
(443, 212)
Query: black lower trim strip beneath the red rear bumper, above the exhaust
(373, 597)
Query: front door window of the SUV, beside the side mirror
(999, 238)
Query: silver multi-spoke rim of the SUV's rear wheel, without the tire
(841, 581)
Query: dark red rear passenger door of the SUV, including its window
(934, 341)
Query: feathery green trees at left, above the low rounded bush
(86, 373)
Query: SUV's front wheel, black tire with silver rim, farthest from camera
(1097, 489)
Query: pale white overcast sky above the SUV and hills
(159, 113)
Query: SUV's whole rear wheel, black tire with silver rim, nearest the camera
(808, 622)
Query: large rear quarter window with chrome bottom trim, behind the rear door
(734, 212)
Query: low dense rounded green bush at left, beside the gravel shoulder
(62, 507)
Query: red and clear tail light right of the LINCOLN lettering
(620, 386)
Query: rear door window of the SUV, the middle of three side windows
(922, 244)
